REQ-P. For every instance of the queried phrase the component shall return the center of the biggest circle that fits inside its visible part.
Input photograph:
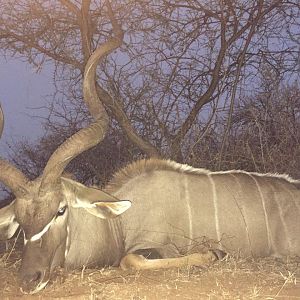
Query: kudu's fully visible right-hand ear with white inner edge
(95, 201)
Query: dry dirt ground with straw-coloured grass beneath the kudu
(229, 279)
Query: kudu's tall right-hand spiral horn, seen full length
(90, 136)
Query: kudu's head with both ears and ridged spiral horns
(41, 206)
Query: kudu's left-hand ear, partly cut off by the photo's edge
(8, 223)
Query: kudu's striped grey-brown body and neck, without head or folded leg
(159, 218)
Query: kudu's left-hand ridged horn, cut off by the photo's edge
(10, 175)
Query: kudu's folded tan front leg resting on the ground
(139, 262)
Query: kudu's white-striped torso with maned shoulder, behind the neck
(222, 206)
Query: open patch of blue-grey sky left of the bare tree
(21, 90)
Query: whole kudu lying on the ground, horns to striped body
(168, 209)
